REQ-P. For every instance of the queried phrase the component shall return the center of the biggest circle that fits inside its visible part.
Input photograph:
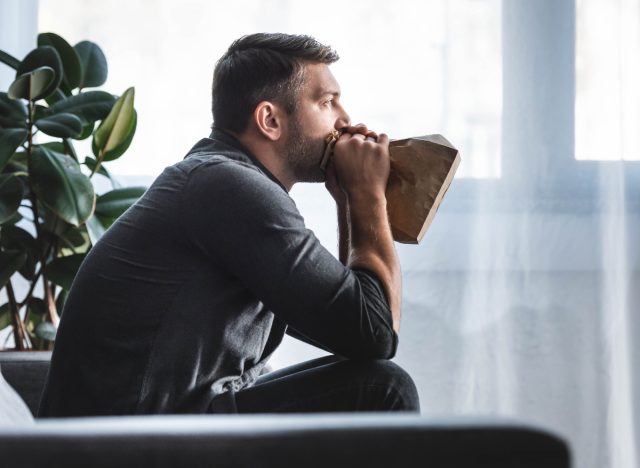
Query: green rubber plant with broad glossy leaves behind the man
(50, 215)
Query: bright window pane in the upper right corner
(607, 77)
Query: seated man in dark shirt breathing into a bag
(180, 304)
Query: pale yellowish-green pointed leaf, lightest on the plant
(113, 136)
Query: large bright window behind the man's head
(408, 68)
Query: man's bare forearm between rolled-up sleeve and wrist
(371, 247)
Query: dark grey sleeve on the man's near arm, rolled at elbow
(248, 225)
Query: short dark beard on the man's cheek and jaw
(304, 154)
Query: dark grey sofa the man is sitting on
(329, 440)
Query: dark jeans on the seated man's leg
(331, 384)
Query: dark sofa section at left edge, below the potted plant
(26, 372)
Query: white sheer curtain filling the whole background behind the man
(522, 299)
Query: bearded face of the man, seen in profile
(318, 112)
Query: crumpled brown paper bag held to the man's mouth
(422, 169)
